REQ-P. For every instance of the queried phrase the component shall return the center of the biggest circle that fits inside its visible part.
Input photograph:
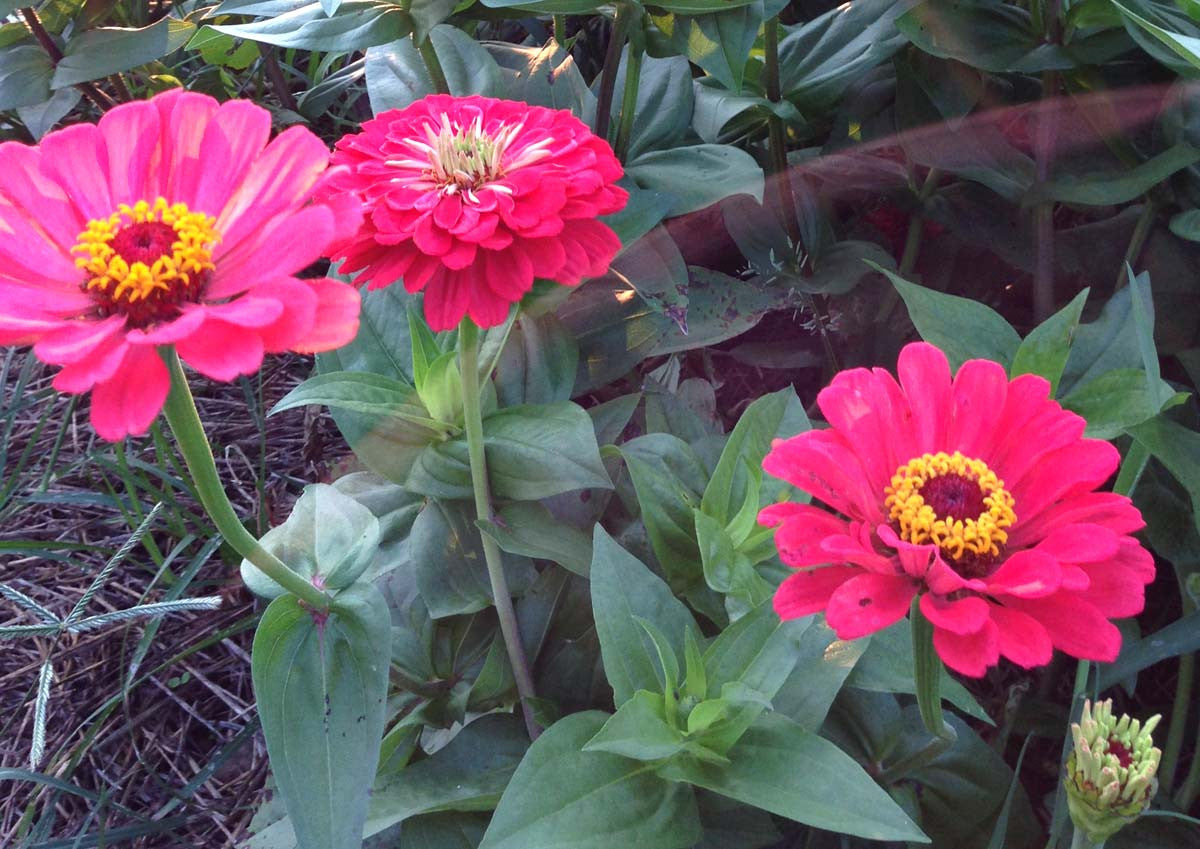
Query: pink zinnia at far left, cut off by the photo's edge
(172, 222)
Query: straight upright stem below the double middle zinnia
(473, 422)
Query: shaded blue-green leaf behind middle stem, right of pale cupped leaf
(448, 559)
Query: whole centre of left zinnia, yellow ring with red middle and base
(146, 261)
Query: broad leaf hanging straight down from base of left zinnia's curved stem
(322, 690)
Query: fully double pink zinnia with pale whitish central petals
(471, 198)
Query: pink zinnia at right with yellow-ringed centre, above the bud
(979, 495)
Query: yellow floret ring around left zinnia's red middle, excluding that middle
(179, 267)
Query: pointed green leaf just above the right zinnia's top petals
(962, 328)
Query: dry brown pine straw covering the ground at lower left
(178, 761)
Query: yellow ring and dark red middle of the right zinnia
(953, 502)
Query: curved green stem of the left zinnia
(194, 445)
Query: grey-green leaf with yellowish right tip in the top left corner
(105, 51)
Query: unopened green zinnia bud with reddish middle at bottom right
(1111, 774)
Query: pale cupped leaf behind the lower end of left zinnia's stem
(329, 537)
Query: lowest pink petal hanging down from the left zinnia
(129, 404)
